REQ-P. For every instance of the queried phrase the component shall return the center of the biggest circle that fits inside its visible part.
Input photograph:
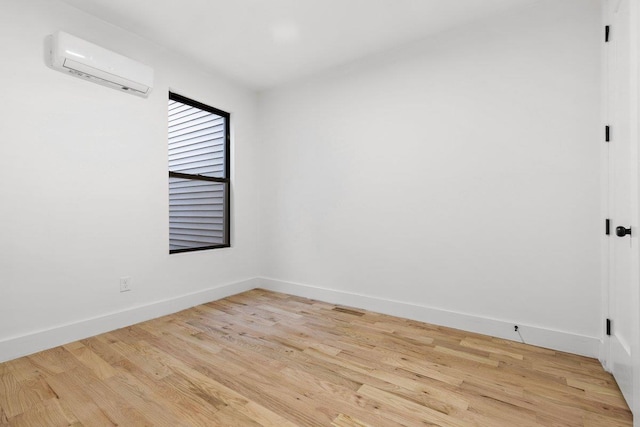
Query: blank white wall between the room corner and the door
(460, 173)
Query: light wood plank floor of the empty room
(263, 358)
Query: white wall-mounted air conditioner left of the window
(91, 62)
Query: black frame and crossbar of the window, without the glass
(226, 180)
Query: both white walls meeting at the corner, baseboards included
(459, 174)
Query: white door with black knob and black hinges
(622, 304)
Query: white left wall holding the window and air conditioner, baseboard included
(83, 180)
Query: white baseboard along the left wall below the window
(14, 347)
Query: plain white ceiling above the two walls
(263, 43)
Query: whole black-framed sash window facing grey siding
(198, 176)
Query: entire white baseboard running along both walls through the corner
(14, 347)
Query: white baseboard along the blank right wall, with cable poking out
(542, 337)
